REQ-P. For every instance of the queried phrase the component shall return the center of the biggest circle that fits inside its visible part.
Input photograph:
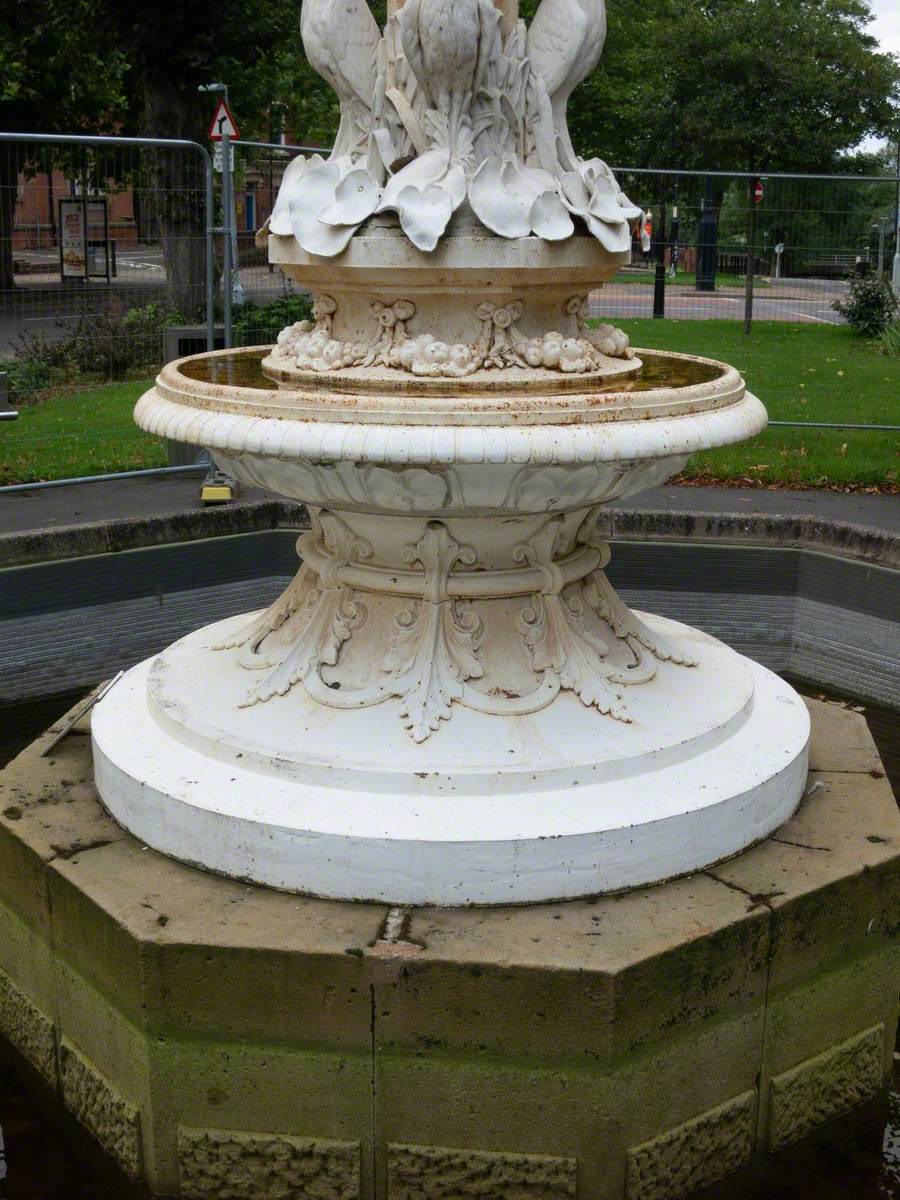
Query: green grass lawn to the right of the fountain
(801, 374)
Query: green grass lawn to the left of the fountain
(79, 433)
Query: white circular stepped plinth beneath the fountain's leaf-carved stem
(559, 803)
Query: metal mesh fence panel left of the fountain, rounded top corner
(104, 243)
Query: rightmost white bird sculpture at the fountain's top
(565, 45)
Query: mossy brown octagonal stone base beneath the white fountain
(226, 1041)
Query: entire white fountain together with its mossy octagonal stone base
(451, 710)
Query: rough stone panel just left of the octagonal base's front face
(112, 1119)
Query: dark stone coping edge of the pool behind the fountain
(841, 538)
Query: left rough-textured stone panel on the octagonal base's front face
(221, 1165)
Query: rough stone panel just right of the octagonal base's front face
(694, 1155)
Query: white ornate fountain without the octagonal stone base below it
(451, 704)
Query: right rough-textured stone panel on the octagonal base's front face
(436, 1173)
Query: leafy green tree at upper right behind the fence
(737, 86)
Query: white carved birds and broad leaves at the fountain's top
(446, 105)
